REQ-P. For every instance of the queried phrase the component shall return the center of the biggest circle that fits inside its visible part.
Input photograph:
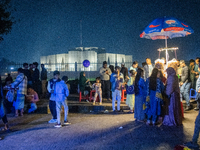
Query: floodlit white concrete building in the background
(72, 61)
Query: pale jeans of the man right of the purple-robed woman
(185, 91)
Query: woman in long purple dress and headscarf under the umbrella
(173, 115)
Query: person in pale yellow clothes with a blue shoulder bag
(130, 100)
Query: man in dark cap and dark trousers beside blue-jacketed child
(50, 88)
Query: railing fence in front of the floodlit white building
(72, 70)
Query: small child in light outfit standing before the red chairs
(98, 90)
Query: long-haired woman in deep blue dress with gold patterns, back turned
(154, 99)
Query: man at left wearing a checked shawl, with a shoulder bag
(21, 85)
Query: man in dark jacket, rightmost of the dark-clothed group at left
(44, 80)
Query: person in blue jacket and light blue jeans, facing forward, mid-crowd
(116, 80)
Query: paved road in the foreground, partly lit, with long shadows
(94, 132)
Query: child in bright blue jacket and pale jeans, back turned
(61, 91)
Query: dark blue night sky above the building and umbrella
(53, 26)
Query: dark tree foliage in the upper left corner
(6, 21)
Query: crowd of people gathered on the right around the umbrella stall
(154, 92)
